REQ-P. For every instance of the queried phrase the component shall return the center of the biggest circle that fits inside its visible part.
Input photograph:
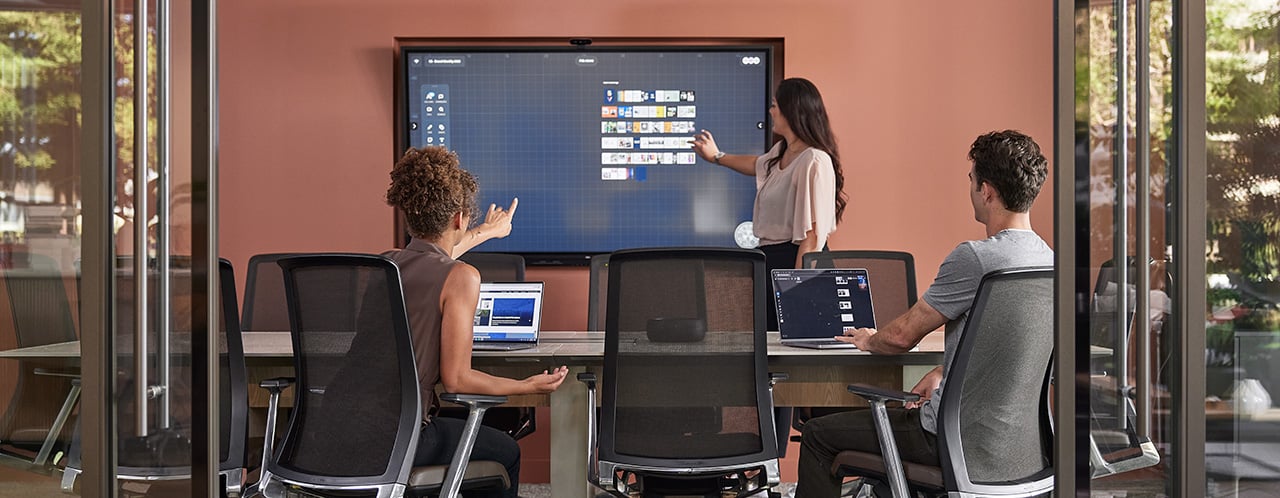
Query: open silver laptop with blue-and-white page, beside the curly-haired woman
(508, 316)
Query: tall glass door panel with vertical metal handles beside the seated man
(1130, 170)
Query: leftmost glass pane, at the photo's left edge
(42, 229)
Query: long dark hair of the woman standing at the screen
(801, 104)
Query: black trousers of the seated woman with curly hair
(438, 441)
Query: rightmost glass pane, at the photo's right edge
(1242, 336)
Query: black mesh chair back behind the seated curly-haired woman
(358, 410)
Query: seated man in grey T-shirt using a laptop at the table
(1007, 176)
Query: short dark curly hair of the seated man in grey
(1013, 165)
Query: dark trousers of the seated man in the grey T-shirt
(825, 437)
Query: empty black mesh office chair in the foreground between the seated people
(687, 396)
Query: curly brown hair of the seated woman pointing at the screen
(429, 188)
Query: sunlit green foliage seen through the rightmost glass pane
(1244, 120)
